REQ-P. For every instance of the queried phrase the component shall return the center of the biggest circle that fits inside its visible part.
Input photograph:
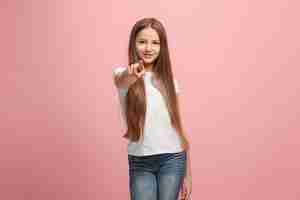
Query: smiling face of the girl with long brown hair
(147, 45)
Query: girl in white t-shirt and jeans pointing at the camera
(158, 149)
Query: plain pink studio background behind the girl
(237, 63)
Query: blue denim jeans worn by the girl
(156, 177)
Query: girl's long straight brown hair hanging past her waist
(136, 97)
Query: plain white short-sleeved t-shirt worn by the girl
(159, 134)
